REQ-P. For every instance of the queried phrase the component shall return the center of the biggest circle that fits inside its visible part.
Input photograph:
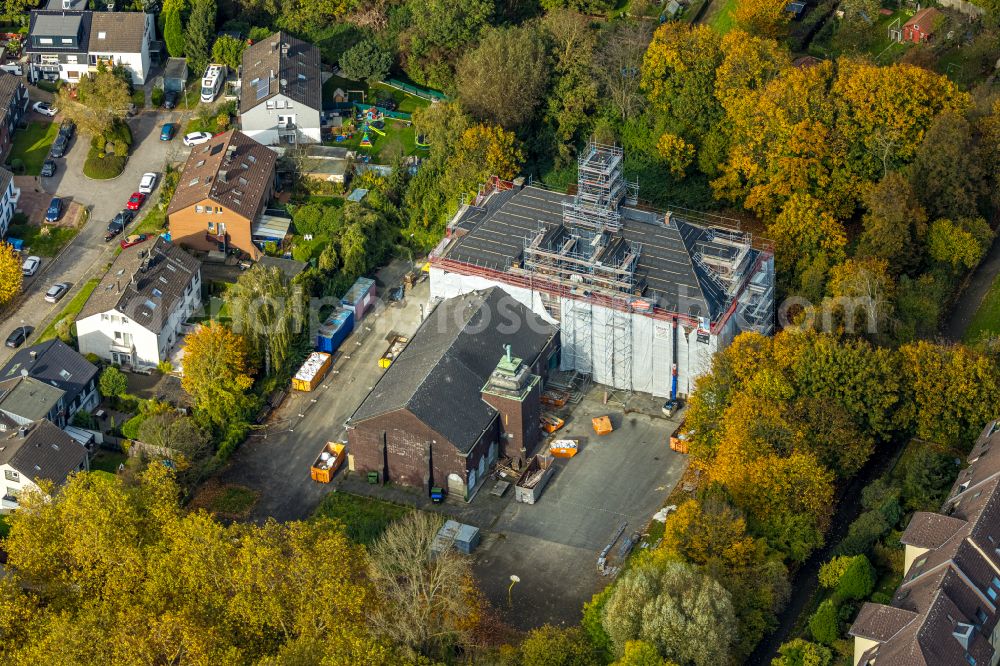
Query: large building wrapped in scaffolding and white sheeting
(643, 298)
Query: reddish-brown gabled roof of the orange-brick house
(249, 171)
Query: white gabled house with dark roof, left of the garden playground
(281, 91)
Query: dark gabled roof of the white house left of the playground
(281, 63)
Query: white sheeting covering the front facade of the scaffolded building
(593, 347)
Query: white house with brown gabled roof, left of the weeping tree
(135, 315)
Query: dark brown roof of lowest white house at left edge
(45, 452)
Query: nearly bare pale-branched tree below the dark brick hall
(429, 599)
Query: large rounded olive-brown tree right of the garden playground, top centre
(515, 56)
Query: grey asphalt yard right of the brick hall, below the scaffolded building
(553, 545)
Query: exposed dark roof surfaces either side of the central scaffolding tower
(495, 236)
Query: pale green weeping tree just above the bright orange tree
(267, 310)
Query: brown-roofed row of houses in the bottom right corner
(945, 610)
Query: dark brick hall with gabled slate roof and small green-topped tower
(454, 400)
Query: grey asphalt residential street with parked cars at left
(88, 254)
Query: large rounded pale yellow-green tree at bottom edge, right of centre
(686, 614)
